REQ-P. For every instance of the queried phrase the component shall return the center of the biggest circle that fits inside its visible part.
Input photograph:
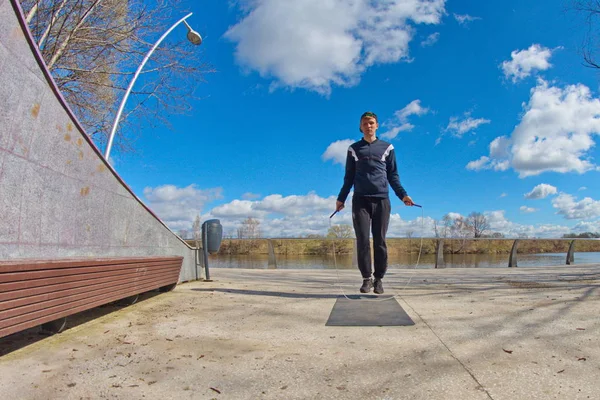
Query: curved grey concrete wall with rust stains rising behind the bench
(59, 198)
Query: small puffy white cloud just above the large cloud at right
(524, 62)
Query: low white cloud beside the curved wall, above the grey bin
(178, 207)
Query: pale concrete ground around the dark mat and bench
(503, 334)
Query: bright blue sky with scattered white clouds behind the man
(487, 104)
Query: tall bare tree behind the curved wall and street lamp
(93, 47)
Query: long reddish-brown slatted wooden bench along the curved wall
(41, 292)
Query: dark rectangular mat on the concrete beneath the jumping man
(368, 310)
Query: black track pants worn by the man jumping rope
(370, 213)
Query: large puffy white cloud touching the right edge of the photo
(555, 133)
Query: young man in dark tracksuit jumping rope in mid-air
(370, 166)
